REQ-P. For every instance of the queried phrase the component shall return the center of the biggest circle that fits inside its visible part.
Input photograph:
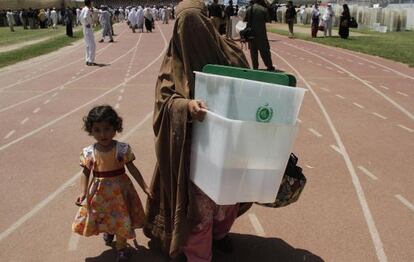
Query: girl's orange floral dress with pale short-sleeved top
(113, 204)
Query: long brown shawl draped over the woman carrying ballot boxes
(194, 44)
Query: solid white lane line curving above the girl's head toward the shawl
(90, 101)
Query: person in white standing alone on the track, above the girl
(86, 20)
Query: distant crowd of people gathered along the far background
(142, 15)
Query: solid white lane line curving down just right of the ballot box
(376, 239)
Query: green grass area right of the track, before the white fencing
(397, 46)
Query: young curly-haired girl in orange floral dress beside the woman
(112, 205)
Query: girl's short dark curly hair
(104, 113)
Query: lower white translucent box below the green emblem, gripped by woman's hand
(236, 161)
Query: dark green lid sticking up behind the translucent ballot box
(279, 78)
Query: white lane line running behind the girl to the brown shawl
(58, 191)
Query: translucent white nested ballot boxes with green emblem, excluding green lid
(240, 151)
